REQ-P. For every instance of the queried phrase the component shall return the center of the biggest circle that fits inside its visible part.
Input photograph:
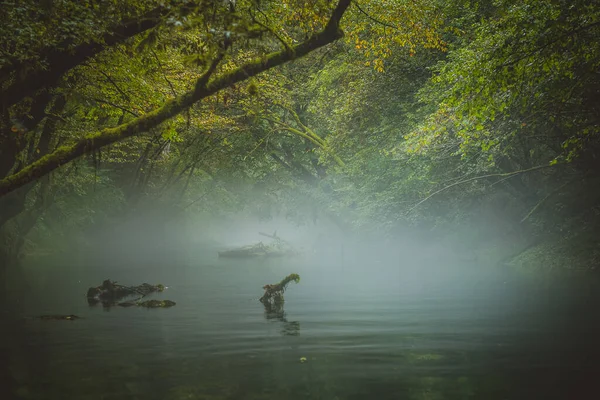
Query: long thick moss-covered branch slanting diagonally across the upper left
(171, 108)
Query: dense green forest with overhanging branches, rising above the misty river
(472, 123)
